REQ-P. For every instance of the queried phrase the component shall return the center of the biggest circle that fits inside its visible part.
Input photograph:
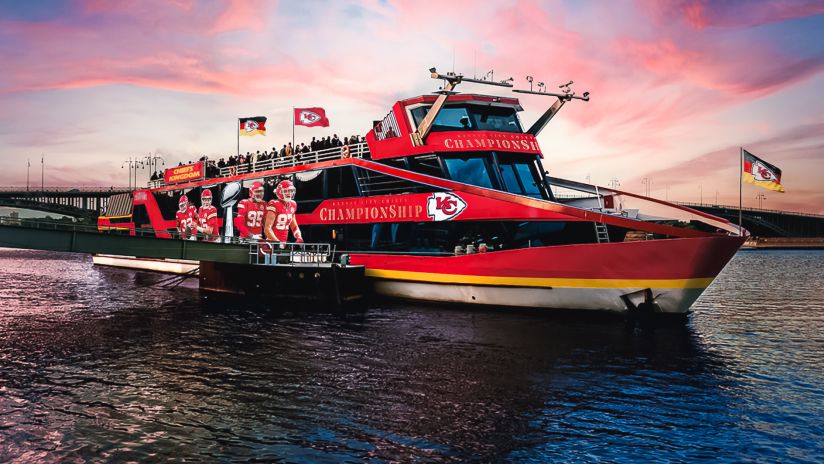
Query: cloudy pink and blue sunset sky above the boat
(676, 86)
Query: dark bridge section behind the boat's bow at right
(768, 222)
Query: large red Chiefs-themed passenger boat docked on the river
(448, 200)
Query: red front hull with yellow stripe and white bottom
(665, 276)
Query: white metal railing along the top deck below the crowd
(357, 150)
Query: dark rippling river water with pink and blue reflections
(97, 365)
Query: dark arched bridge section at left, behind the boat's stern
(78, 202)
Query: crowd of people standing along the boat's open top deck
(213, 167)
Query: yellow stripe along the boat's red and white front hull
(701, 283)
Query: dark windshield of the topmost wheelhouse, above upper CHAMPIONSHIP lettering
(471, 117)
